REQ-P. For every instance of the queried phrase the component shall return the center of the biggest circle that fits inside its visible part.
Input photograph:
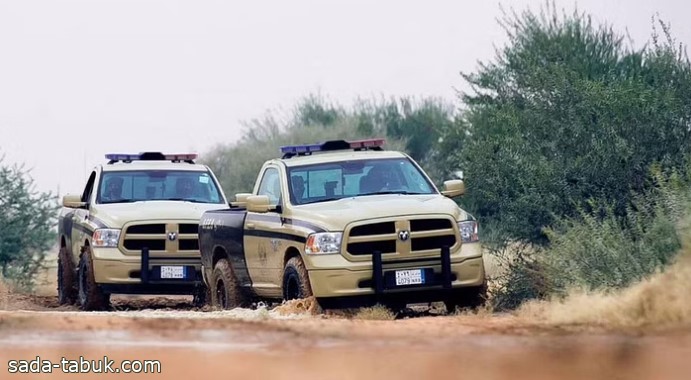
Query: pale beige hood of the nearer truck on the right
(335, 215)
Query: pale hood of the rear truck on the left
(117, 214)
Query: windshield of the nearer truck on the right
(336, 180)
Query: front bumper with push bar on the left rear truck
(135, 274)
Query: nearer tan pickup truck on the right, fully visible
(346, 222)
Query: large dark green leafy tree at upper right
(566, 113)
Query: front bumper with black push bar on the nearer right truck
(445, 272)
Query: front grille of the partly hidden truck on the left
(161, 237)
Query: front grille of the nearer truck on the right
(426, 234)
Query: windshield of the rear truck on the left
(158, 185)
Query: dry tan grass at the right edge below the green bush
(662, 300)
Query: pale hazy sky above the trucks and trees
(79, 79)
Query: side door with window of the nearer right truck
(262, 234)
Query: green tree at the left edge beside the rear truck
(27, 220)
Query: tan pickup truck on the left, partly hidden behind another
(133, 230)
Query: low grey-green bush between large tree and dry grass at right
(598, 250)
